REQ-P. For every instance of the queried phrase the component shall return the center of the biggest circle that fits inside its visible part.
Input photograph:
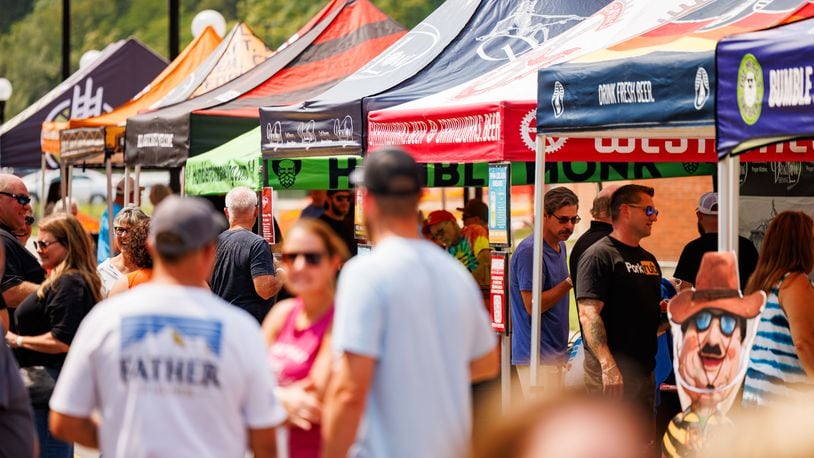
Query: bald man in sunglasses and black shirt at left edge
(23, 272)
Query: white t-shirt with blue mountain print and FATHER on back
(174, 371)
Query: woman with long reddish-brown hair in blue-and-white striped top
(781, 363)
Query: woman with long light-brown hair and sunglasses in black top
(47, 320)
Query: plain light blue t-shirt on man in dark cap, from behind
(422, 320)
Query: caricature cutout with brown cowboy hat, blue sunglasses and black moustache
(710, 322)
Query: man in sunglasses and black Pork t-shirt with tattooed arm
(619, 291)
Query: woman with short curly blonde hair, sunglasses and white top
(112, 269)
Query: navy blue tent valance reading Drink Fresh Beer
(671, 86)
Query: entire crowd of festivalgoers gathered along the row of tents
(181, 333)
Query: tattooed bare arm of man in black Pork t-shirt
(593, 330)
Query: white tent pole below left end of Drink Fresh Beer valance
(538, 268)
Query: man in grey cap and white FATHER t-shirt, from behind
(172, 369)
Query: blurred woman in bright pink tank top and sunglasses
(298, 329)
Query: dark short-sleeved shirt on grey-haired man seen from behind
(242, 255)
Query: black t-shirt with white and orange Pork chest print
(627, 280)
